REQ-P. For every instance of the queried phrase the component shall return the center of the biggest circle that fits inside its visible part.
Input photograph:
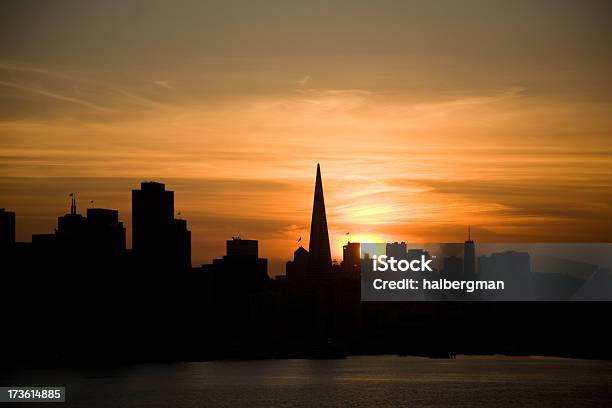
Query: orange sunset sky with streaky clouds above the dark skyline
(425, 116)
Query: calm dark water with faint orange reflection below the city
(385, 381)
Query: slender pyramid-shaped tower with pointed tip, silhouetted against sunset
(319, 254)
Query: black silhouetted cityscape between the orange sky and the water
(82, 297)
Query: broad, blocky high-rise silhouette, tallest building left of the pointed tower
(158, 238)
